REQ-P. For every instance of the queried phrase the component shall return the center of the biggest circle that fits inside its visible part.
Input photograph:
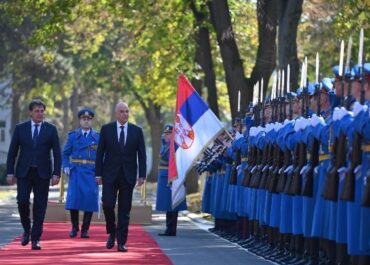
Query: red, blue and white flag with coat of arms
(195, 127)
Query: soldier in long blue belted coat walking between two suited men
(79, 164)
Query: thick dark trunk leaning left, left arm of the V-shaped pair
(233, 65)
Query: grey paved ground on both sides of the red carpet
(193, 244)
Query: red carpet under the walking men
(58, 248)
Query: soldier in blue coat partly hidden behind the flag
(164, 201)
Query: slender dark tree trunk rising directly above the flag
(203, 57)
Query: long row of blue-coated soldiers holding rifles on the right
(295, 186)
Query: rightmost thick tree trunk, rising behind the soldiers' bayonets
(289, 15)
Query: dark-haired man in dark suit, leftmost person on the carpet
(31, 146)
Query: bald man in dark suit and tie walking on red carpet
(120, 149)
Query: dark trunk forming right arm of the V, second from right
(266, 53)
